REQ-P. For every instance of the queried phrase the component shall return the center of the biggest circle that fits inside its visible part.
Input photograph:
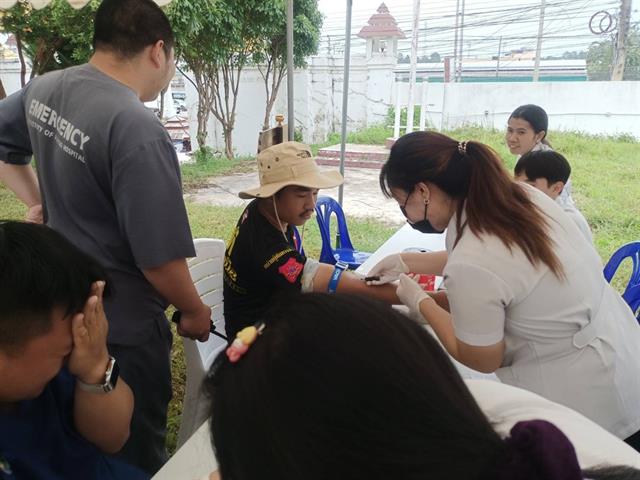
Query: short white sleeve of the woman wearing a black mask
(477, 299)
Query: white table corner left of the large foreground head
(193, 460)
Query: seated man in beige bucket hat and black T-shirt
(263, 258)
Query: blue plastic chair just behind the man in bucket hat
(325, 207)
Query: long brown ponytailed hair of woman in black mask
(494, 203)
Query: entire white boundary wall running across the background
(608, 108)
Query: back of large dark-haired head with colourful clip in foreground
(343, 387)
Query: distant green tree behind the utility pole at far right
(600, 57)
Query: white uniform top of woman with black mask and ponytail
(571, 340)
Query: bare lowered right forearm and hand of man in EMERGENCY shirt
(174, 283)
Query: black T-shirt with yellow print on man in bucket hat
(258, 265)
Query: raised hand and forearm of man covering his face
(101, 418)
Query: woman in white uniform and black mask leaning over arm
(526, 293)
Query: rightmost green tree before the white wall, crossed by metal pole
(271, 58)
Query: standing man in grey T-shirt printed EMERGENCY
(110, 182)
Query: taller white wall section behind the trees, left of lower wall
(317, 104)
